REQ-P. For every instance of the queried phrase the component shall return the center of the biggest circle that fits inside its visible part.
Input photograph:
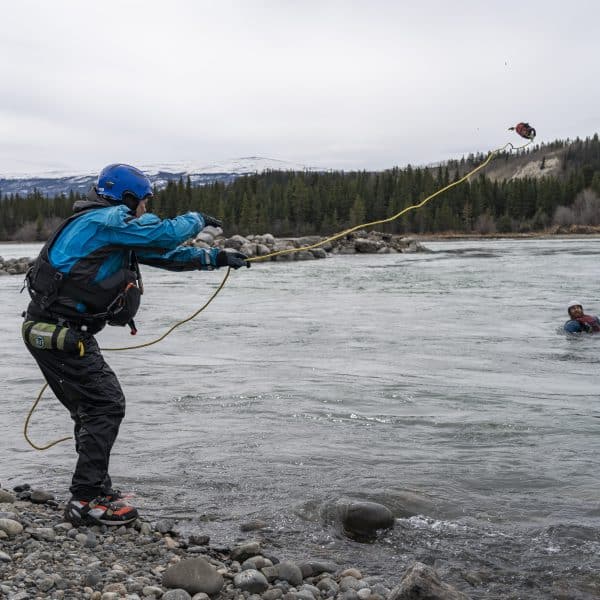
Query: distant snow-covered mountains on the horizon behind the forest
(53, 183)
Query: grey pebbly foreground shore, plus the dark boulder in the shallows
(44, 557)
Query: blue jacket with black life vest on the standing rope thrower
(89, 267)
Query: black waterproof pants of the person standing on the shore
(91, 392)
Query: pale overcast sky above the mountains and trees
(335, 84)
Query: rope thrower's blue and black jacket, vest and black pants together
(91, 256)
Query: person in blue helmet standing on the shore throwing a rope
(86, 276)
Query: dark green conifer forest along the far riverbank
(287, 203)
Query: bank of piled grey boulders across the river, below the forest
(359, 242)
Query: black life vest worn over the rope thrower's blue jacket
(60, 296)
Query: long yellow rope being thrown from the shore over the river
(277, 253)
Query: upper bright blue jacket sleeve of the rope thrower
(148, 231)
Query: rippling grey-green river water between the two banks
(436, 384)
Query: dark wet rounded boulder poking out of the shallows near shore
(362, 521)
